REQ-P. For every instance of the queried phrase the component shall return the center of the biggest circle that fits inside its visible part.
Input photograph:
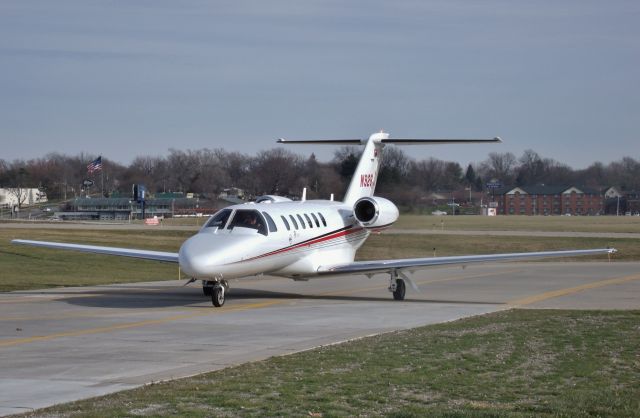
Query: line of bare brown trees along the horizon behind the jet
(279, 171)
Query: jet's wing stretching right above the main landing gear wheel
(411, 264)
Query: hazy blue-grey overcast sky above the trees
(128, 78)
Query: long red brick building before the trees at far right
(549, 200)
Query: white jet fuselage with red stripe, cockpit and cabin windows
(290, 239)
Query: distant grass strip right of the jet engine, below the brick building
(521, 223)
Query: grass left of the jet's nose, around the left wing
(36, 268)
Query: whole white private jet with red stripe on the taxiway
(304, 239)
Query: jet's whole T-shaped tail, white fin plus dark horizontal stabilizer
(364, 180)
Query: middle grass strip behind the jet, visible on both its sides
(35, 268)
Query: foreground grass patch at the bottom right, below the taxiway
(515, 363)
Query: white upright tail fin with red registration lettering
(363, 182)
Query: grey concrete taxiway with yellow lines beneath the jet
(65, 344)
